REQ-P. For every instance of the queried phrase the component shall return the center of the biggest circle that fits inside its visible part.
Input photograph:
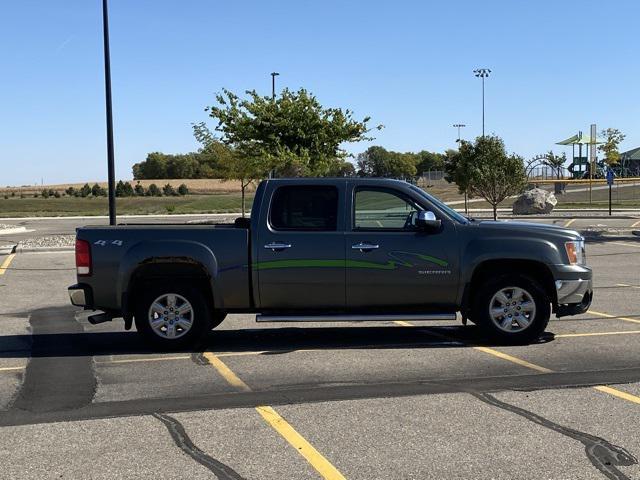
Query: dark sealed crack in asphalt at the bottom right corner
(603, 455)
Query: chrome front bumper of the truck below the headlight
(574, 291)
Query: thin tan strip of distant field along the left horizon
(196, 186)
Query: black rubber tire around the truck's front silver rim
(512, 330)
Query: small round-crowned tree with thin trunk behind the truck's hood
(489, 172)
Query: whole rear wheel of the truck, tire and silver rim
(172, 316)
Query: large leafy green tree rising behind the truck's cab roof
(292, 134)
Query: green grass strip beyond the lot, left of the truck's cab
(66, 206)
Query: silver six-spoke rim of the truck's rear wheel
(170, 316)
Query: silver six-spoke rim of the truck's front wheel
(512, 309)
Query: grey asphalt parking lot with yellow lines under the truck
(356, 401)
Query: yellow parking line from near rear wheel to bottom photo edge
(279, 424)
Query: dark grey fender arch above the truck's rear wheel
(169, 251)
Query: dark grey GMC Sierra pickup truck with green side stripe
(344, 249)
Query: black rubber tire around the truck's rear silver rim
(184, 338)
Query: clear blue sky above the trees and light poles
(407, 64)
